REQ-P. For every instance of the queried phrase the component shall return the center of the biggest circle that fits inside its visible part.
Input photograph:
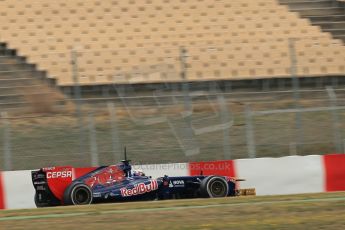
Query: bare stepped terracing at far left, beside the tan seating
(21, 84)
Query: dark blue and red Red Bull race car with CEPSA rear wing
(117, 183)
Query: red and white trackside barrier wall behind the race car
(270, 176)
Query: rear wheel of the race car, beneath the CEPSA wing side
(77, 193)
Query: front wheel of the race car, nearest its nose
(214, 186)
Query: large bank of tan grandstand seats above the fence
(123, 42)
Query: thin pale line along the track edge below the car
(170, 208)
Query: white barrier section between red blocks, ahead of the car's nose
(287, 175)
